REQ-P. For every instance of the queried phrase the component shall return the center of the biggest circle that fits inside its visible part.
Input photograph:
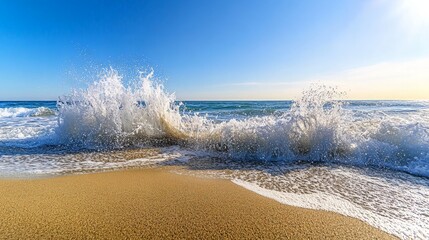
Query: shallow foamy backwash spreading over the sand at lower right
(393, 201)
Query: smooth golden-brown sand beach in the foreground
(157, 204)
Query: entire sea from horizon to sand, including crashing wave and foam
(365, 159)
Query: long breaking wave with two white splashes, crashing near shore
(317, 128)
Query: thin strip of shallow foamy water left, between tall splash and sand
(48, 162)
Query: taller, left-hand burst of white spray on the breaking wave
(110, 114)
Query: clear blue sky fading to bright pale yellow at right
(222, 49)
